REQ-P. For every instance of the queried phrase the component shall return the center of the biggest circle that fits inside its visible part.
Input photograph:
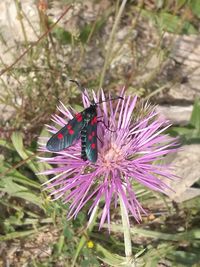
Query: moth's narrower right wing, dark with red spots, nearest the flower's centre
(91, 140)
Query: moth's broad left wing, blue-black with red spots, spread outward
(66, 136)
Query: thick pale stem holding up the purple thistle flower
(127, 235)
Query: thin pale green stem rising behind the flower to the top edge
(110, 42)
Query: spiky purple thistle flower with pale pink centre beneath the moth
(130, 152)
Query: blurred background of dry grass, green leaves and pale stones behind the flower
(155, 52)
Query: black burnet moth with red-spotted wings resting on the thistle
(84, 126)
